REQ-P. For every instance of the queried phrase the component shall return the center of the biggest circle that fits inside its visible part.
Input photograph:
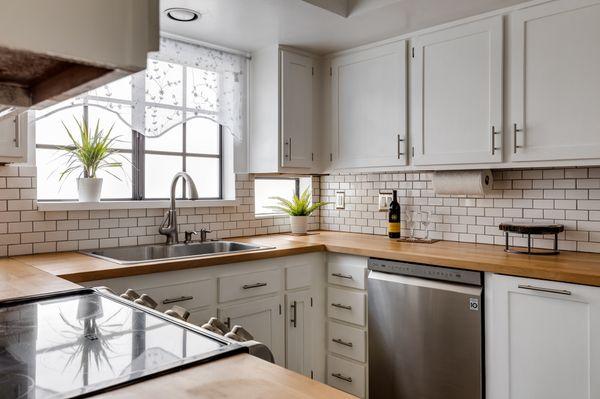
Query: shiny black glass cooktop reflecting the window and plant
(82, 342)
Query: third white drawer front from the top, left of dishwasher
(347, 341)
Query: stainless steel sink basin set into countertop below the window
(161, 252)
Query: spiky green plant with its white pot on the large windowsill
(89, 152)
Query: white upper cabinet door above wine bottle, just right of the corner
(369, 107)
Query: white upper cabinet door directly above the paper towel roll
(457, 82)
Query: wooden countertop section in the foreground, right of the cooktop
(240, 376)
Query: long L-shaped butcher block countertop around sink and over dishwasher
(572, 267)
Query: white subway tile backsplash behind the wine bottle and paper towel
(567, 196)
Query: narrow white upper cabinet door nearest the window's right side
(296, 110)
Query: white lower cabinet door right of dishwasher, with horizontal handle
(541, 339)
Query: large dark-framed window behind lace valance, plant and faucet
(193, 144)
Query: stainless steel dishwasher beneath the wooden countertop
(425, 332)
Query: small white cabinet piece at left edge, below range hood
(13, 138)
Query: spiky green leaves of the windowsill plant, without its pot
(89, 151)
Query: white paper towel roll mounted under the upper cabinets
(462, 182)
